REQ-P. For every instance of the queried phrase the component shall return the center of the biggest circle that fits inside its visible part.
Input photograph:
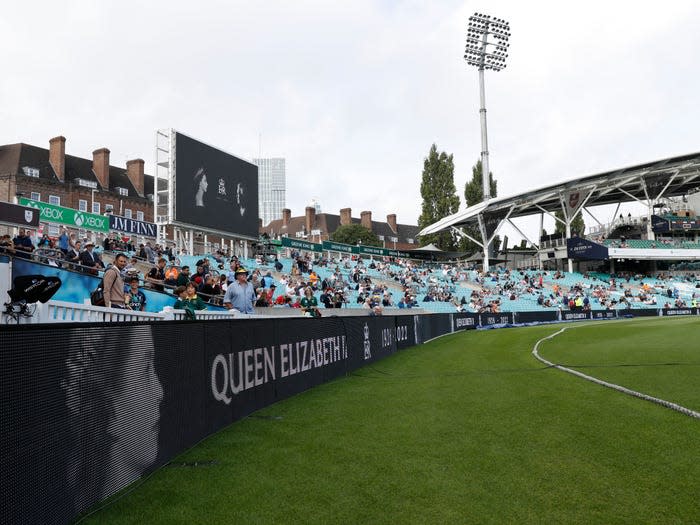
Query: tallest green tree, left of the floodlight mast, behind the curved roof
(439, 196)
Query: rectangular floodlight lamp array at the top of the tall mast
(487, 42)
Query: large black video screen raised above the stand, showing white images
(214, 189)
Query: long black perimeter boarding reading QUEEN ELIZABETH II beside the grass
(87, 409)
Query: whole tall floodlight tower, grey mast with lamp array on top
(487, 48)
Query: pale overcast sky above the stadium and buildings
(354, 93)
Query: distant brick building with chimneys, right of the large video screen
(317, 227)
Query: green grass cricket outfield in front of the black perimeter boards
(469, 428)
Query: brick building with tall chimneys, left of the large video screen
(49, 175)
